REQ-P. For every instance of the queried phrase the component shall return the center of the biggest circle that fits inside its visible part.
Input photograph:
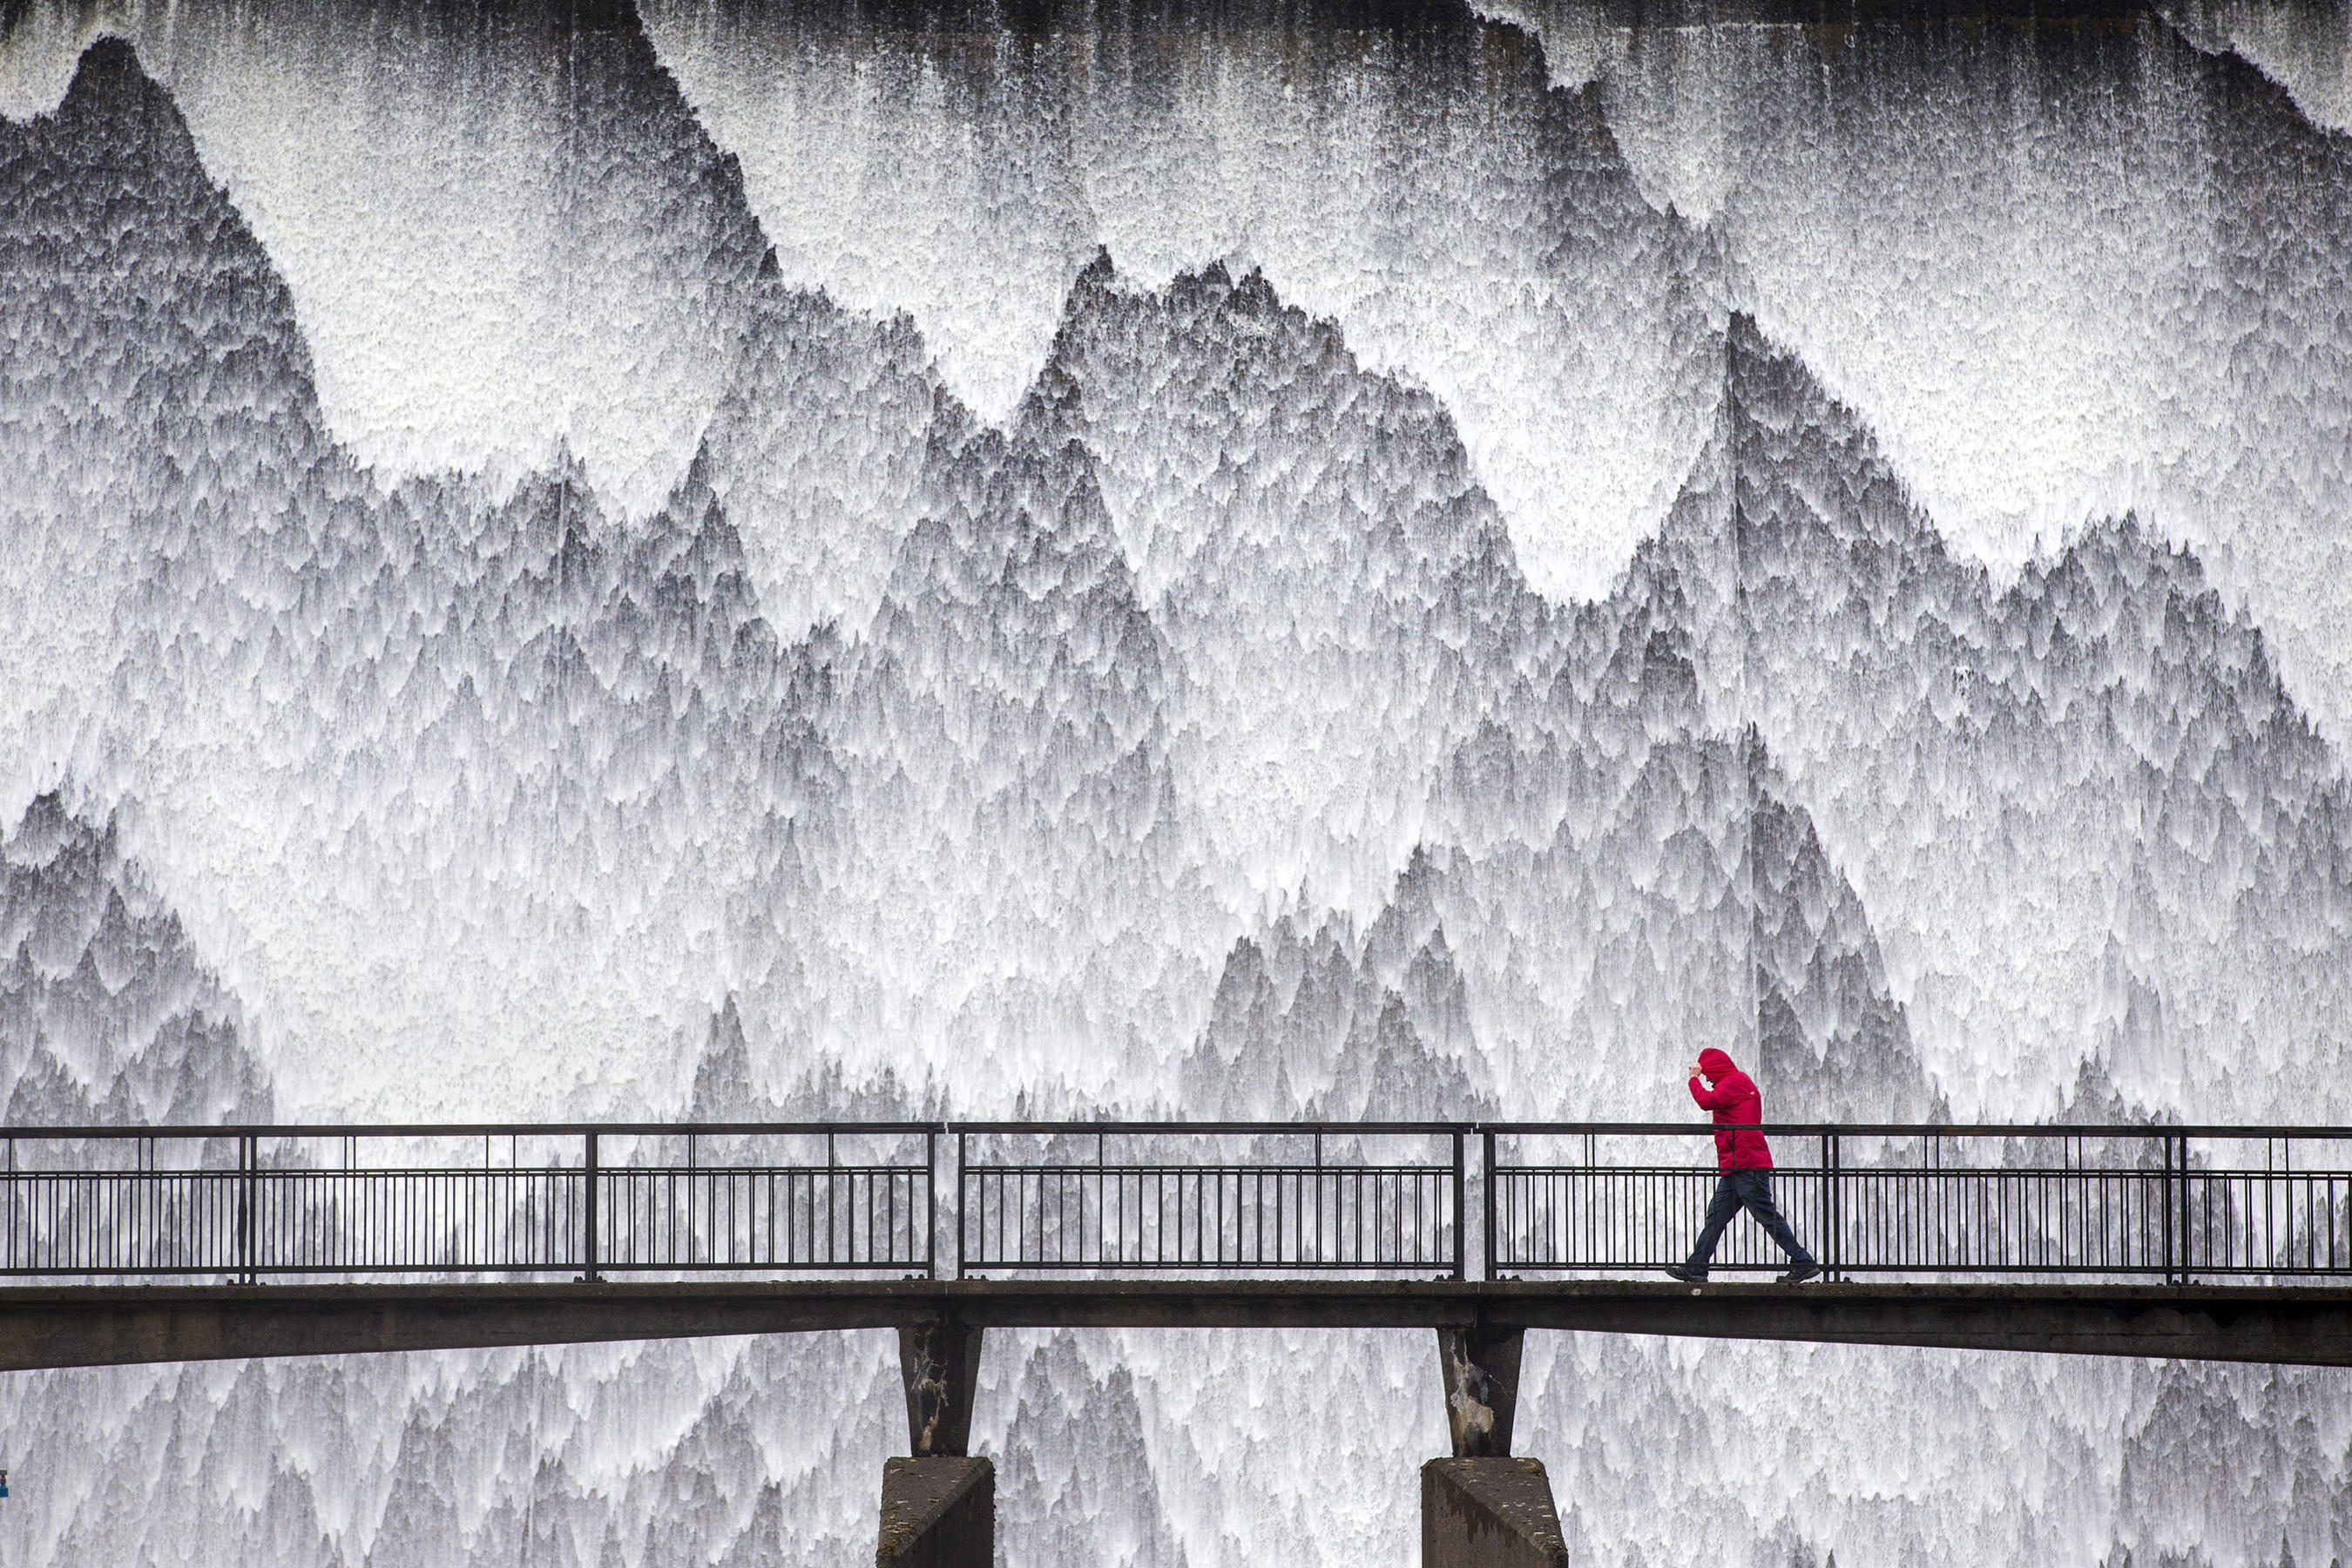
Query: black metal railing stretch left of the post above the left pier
(469, 1200)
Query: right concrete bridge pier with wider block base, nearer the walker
(1485, 1508)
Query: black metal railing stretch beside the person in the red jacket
(1939, 1202)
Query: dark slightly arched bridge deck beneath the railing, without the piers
(123, 1325)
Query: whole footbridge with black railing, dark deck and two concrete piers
(175, 1242)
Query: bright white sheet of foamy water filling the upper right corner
(2050, 304)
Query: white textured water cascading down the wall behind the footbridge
(1332, 561)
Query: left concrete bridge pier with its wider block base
(940, 1506)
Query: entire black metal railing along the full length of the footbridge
(1426, 1200)
